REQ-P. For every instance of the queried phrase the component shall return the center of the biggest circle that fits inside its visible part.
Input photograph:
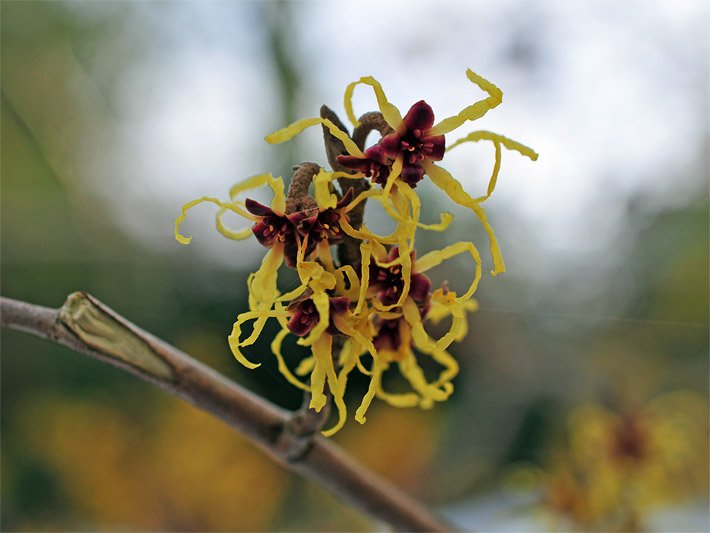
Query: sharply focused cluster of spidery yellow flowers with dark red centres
(372, 311)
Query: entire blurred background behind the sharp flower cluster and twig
(582, 399)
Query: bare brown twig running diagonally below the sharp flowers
(87, 326)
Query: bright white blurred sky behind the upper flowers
(608, 93)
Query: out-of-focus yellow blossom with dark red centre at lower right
(619, 466)
